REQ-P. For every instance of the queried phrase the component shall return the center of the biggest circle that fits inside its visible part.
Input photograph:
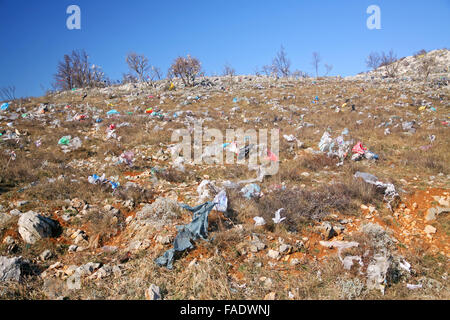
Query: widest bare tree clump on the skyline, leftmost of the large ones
(75, 72)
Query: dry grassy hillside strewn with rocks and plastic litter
(96, 202)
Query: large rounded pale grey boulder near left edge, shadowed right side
(33, 227)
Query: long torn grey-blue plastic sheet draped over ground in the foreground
(198, 228)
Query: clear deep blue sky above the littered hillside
(246, 33)
